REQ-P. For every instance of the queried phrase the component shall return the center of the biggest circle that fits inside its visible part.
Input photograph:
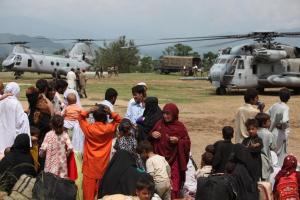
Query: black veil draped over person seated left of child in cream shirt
(121, 175)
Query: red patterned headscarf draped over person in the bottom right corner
(288, 168)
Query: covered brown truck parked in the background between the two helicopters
(170, 64)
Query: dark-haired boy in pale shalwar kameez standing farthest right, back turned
(279, 113)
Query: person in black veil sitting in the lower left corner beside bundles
(17, 161)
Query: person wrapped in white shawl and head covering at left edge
(13, 119)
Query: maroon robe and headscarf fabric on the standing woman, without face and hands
(173, 152)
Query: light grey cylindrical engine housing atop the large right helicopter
(269, 54)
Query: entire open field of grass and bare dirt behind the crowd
(203, 113)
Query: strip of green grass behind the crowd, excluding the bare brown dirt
(168, 88)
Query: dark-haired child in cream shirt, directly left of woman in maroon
(158, 168)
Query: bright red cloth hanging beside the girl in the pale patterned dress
(90, 188)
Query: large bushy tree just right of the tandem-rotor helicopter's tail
(119, 53)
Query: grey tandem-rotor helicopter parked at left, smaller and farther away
(23, 59)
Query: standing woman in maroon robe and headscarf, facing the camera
(171, 140)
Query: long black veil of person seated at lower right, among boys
(244, 173)
